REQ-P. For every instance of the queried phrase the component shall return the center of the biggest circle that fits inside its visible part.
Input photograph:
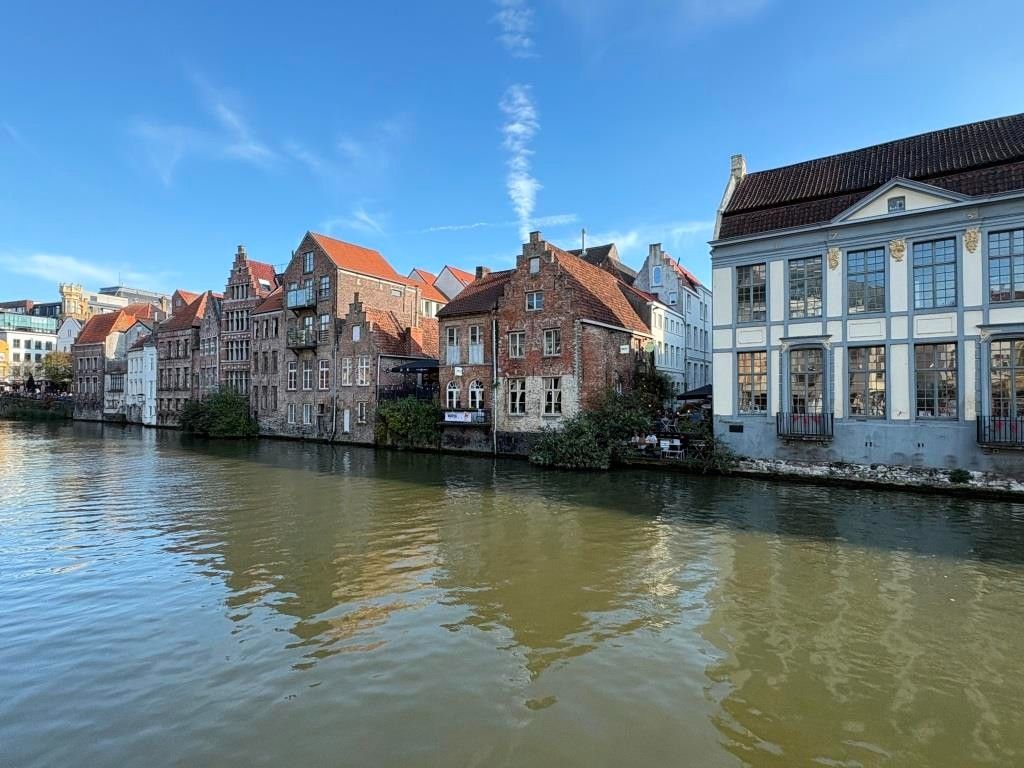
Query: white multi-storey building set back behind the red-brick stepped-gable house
(685, 354)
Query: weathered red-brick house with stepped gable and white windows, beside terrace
(559, 334)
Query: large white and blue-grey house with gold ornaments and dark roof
(870, 306)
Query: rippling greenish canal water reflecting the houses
(170, 604)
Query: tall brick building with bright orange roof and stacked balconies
(320, 285)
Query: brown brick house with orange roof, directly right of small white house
(178, 360)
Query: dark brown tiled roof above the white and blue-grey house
(984, 158)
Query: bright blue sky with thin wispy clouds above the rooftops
(149, 142)
